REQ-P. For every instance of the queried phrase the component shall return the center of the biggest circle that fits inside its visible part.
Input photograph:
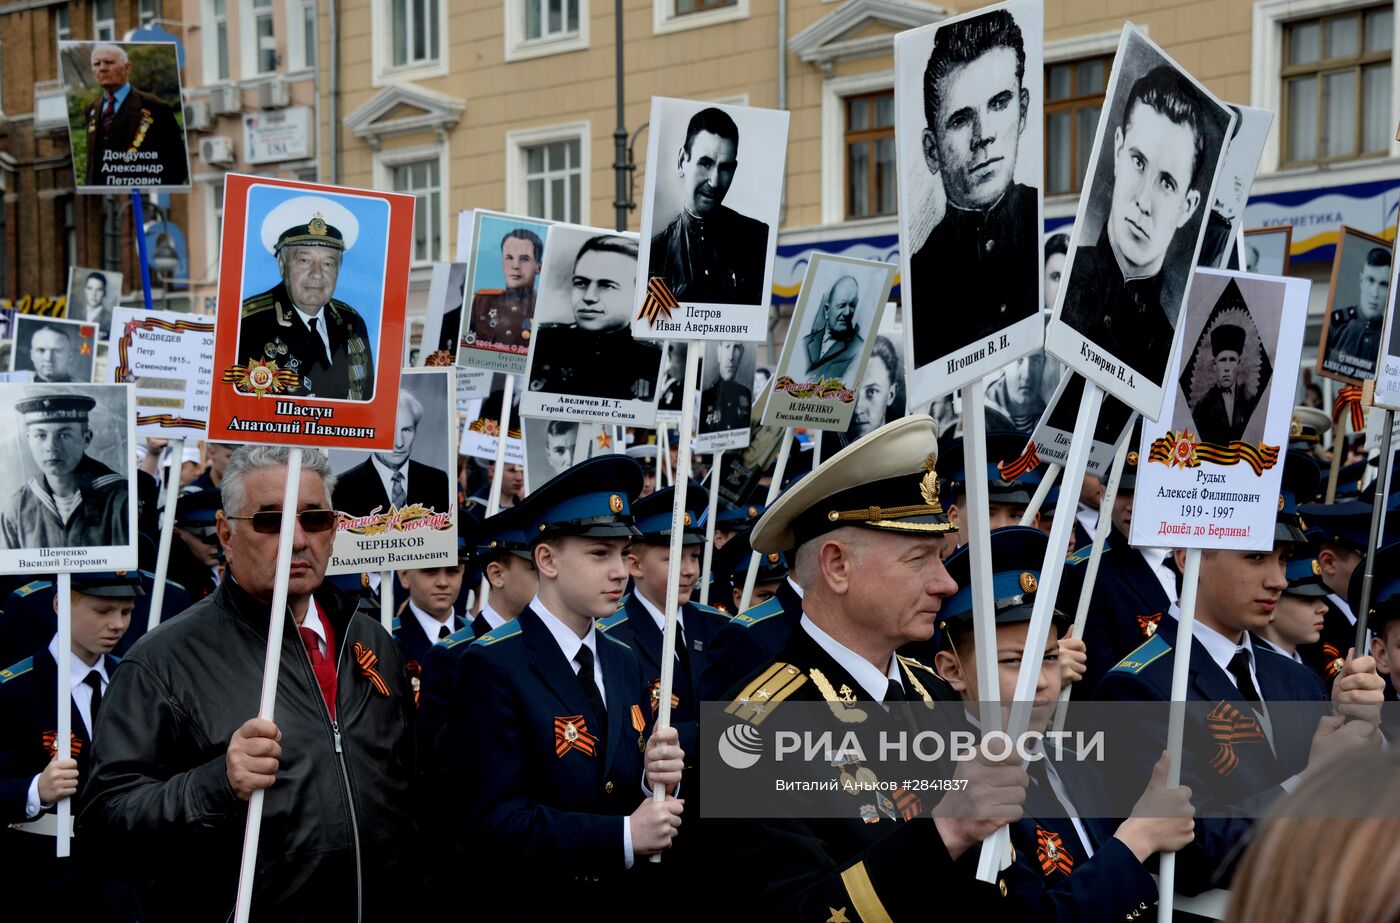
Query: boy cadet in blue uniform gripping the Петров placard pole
(549, 719)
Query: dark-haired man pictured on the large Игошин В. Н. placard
(976, 107)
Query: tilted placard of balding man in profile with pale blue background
(829, 341)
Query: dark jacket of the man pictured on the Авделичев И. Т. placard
(608, 365)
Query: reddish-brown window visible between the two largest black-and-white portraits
(1074, 97)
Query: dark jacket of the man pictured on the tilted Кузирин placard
(1122, 317)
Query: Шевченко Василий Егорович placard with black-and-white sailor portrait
(71, 452)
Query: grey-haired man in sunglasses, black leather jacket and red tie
(181, 751)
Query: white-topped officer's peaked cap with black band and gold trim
(884, 481)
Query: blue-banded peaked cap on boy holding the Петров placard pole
(593, 498)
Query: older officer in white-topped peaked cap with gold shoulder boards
(870, 533)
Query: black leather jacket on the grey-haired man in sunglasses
(338, 826)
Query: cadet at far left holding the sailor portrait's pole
(31, 777)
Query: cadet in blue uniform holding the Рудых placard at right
(1238, 593)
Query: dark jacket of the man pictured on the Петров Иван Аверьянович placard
(717, 260)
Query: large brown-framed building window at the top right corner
(1336, 86)
